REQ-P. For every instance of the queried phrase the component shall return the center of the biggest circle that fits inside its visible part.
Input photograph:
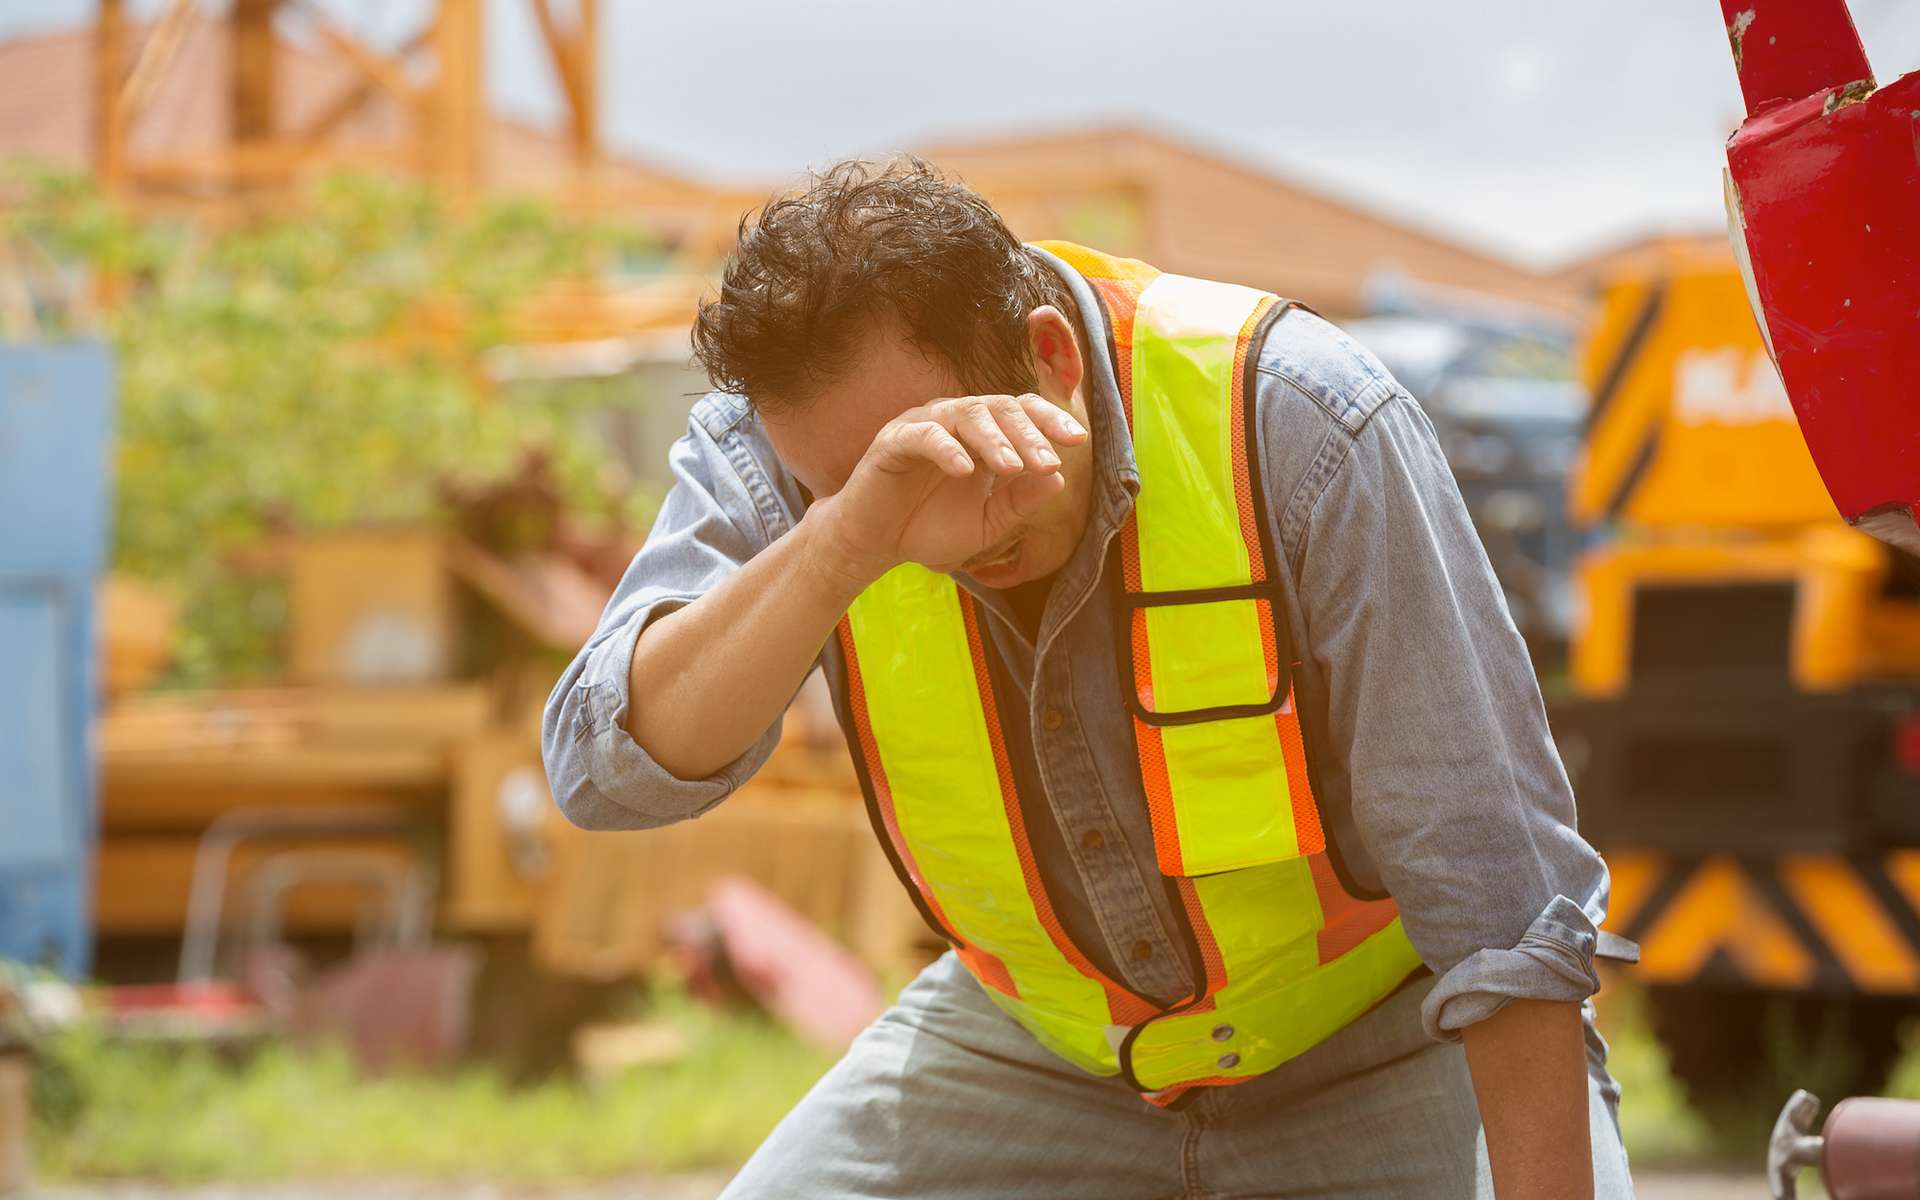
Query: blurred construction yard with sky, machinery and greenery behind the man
(341, 348)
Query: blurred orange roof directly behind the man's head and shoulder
(1197, 212)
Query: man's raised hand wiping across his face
(948, 481)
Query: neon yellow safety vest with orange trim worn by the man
(1284, 953)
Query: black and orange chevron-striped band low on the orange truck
(1798, 923)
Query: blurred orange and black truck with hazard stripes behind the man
(1744, 698)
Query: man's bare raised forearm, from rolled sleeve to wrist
(708, 681)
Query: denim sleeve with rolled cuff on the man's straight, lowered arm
(1456, 786)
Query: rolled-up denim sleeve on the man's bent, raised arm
(709, 525)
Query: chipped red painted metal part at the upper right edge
(1825, 201)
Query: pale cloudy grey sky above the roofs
(1537, 130)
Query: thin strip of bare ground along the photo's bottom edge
(1650, 1186)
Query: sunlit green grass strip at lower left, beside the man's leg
(185, 1116)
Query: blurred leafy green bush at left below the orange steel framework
(312, 372)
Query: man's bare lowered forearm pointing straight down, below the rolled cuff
(1529, 1074)
